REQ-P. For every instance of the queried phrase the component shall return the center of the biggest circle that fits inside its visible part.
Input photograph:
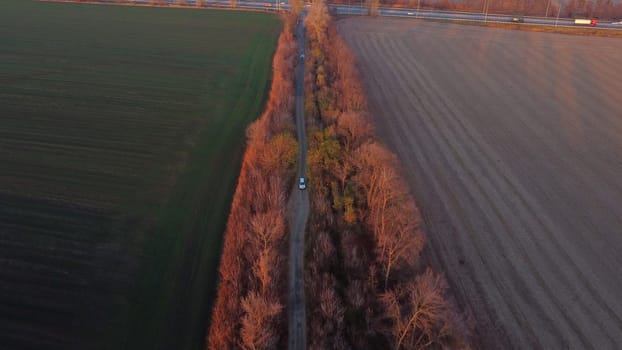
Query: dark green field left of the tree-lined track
(121, 136)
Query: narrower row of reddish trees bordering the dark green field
(249, 312)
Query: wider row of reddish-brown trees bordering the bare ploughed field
(365, 286)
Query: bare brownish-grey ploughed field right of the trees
(512, 143)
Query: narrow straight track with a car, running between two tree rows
(300, 212)
